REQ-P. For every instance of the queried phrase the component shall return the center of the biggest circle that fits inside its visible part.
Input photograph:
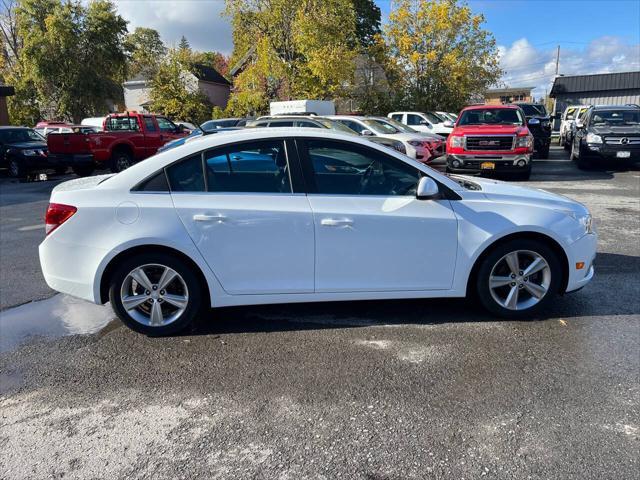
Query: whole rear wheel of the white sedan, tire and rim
(155, 294)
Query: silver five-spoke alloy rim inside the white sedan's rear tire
(154, 295)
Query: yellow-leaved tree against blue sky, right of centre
(440, 53)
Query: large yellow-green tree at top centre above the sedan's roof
(290, 49)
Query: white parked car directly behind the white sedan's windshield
(415, 146)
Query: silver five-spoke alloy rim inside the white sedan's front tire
(520, 280)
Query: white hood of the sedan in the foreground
(504, 192)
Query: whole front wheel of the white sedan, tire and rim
(518, 278)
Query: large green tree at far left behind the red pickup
(71, 61)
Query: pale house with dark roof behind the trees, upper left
(137, 91)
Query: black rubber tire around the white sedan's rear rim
(194, 293)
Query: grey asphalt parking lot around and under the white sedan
(371, 390)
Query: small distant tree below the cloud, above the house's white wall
(145, 52)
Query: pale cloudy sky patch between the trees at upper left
(202, 22)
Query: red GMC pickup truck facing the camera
(491, 138)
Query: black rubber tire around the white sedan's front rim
(483, 290)
